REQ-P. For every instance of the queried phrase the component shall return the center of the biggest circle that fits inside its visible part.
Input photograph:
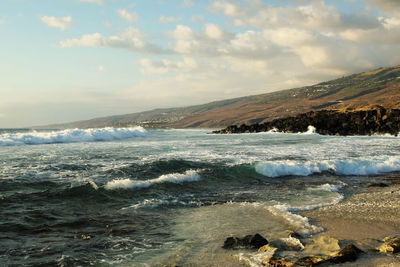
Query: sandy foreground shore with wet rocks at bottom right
(361, 231)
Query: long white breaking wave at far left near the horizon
(71, 136)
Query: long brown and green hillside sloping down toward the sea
(377, 87)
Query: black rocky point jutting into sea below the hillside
(378, 120)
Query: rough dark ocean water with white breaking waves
(136, 197)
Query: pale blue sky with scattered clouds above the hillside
(69, 60)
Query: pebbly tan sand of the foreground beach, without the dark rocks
(364, 219)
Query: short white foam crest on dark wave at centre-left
(188, 176)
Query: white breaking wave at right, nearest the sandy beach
(370, 166)
